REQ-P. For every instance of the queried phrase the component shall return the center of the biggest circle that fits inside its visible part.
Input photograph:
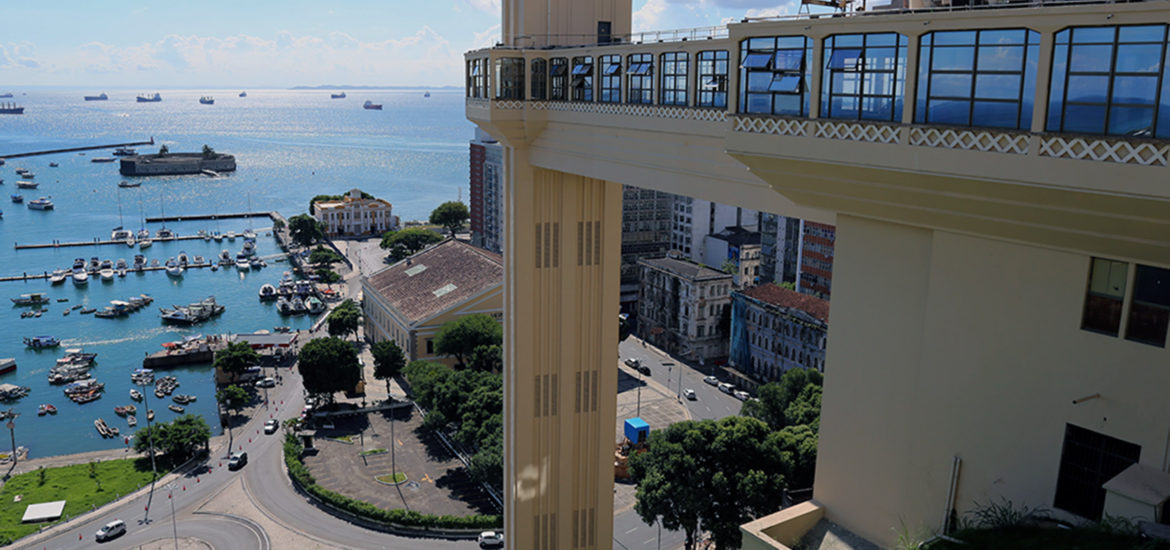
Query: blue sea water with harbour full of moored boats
(290, 146)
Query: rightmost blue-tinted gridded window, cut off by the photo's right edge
(1110, 81)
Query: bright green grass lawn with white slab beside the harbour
(73, 485)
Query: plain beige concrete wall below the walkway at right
(945, 346)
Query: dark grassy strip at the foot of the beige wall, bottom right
(1036, 538)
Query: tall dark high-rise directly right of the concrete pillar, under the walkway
(645, 233)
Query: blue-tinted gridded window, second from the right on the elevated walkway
(978, 78)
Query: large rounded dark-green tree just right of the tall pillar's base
(708, 475)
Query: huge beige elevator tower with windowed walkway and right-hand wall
(999, 182)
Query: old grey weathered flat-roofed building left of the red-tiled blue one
(683, 308)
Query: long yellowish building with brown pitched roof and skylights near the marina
(410, 301)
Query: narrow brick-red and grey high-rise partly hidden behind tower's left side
(487, 208)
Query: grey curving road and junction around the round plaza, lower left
(266, 485)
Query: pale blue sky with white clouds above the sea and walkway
(249, 44)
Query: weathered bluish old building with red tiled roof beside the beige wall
(774, 331)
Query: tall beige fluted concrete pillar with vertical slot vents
(561, 352)
